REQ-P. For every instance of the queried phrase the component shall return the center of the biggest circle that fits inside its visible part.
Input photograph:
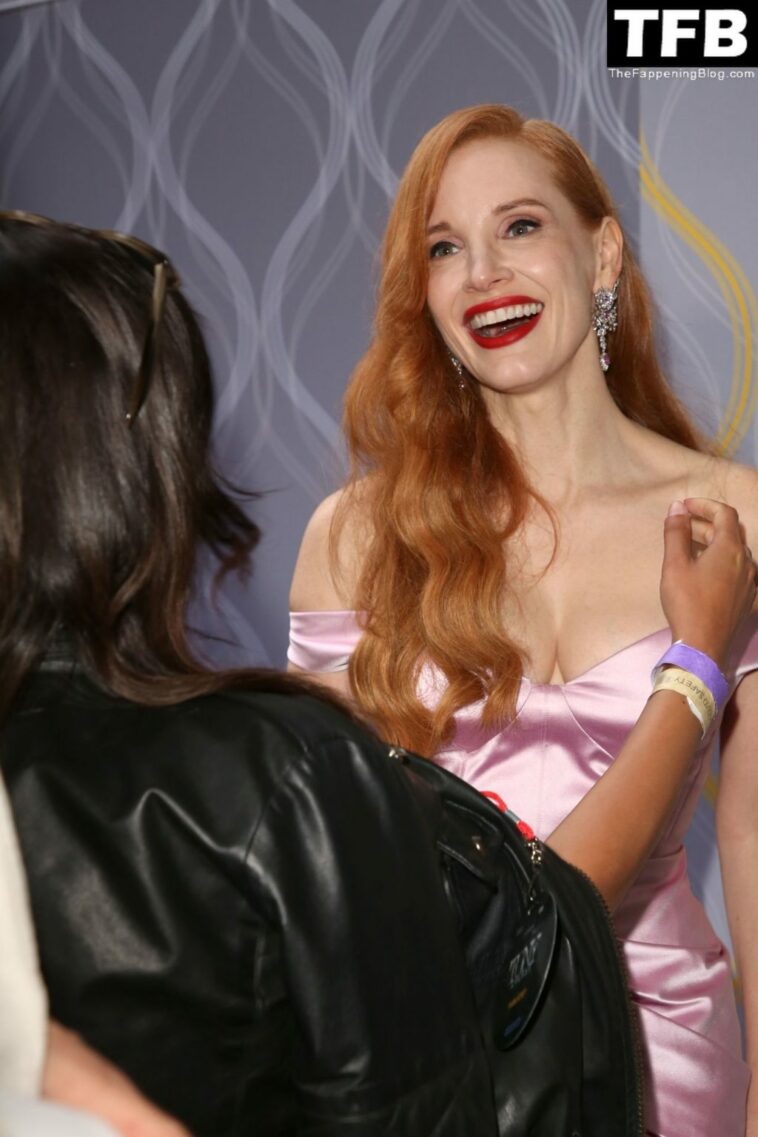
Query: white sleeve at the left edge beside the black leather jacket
(23, 999)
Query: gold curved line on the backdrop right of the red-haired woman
(740, 300)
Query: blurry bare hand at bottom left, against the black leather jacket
(74, 1075)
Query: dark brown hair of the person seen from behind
(99, 524)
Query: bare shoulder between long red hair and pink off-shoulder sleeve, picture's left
(330, 558)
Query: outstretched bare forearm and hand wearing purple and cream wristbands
(615, 827)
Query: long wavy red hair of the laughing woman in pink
(443, 488)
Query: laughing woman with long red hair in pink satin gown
(487, 586)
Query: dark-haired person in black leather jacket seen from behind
(235, 894)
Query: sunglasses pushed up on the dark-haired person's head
(164, 279)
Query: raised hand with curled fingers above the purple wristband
(706, 595)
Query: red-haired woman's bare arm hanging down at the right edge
(737, 823)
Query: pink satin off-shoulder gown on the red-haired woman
(563, 740)
